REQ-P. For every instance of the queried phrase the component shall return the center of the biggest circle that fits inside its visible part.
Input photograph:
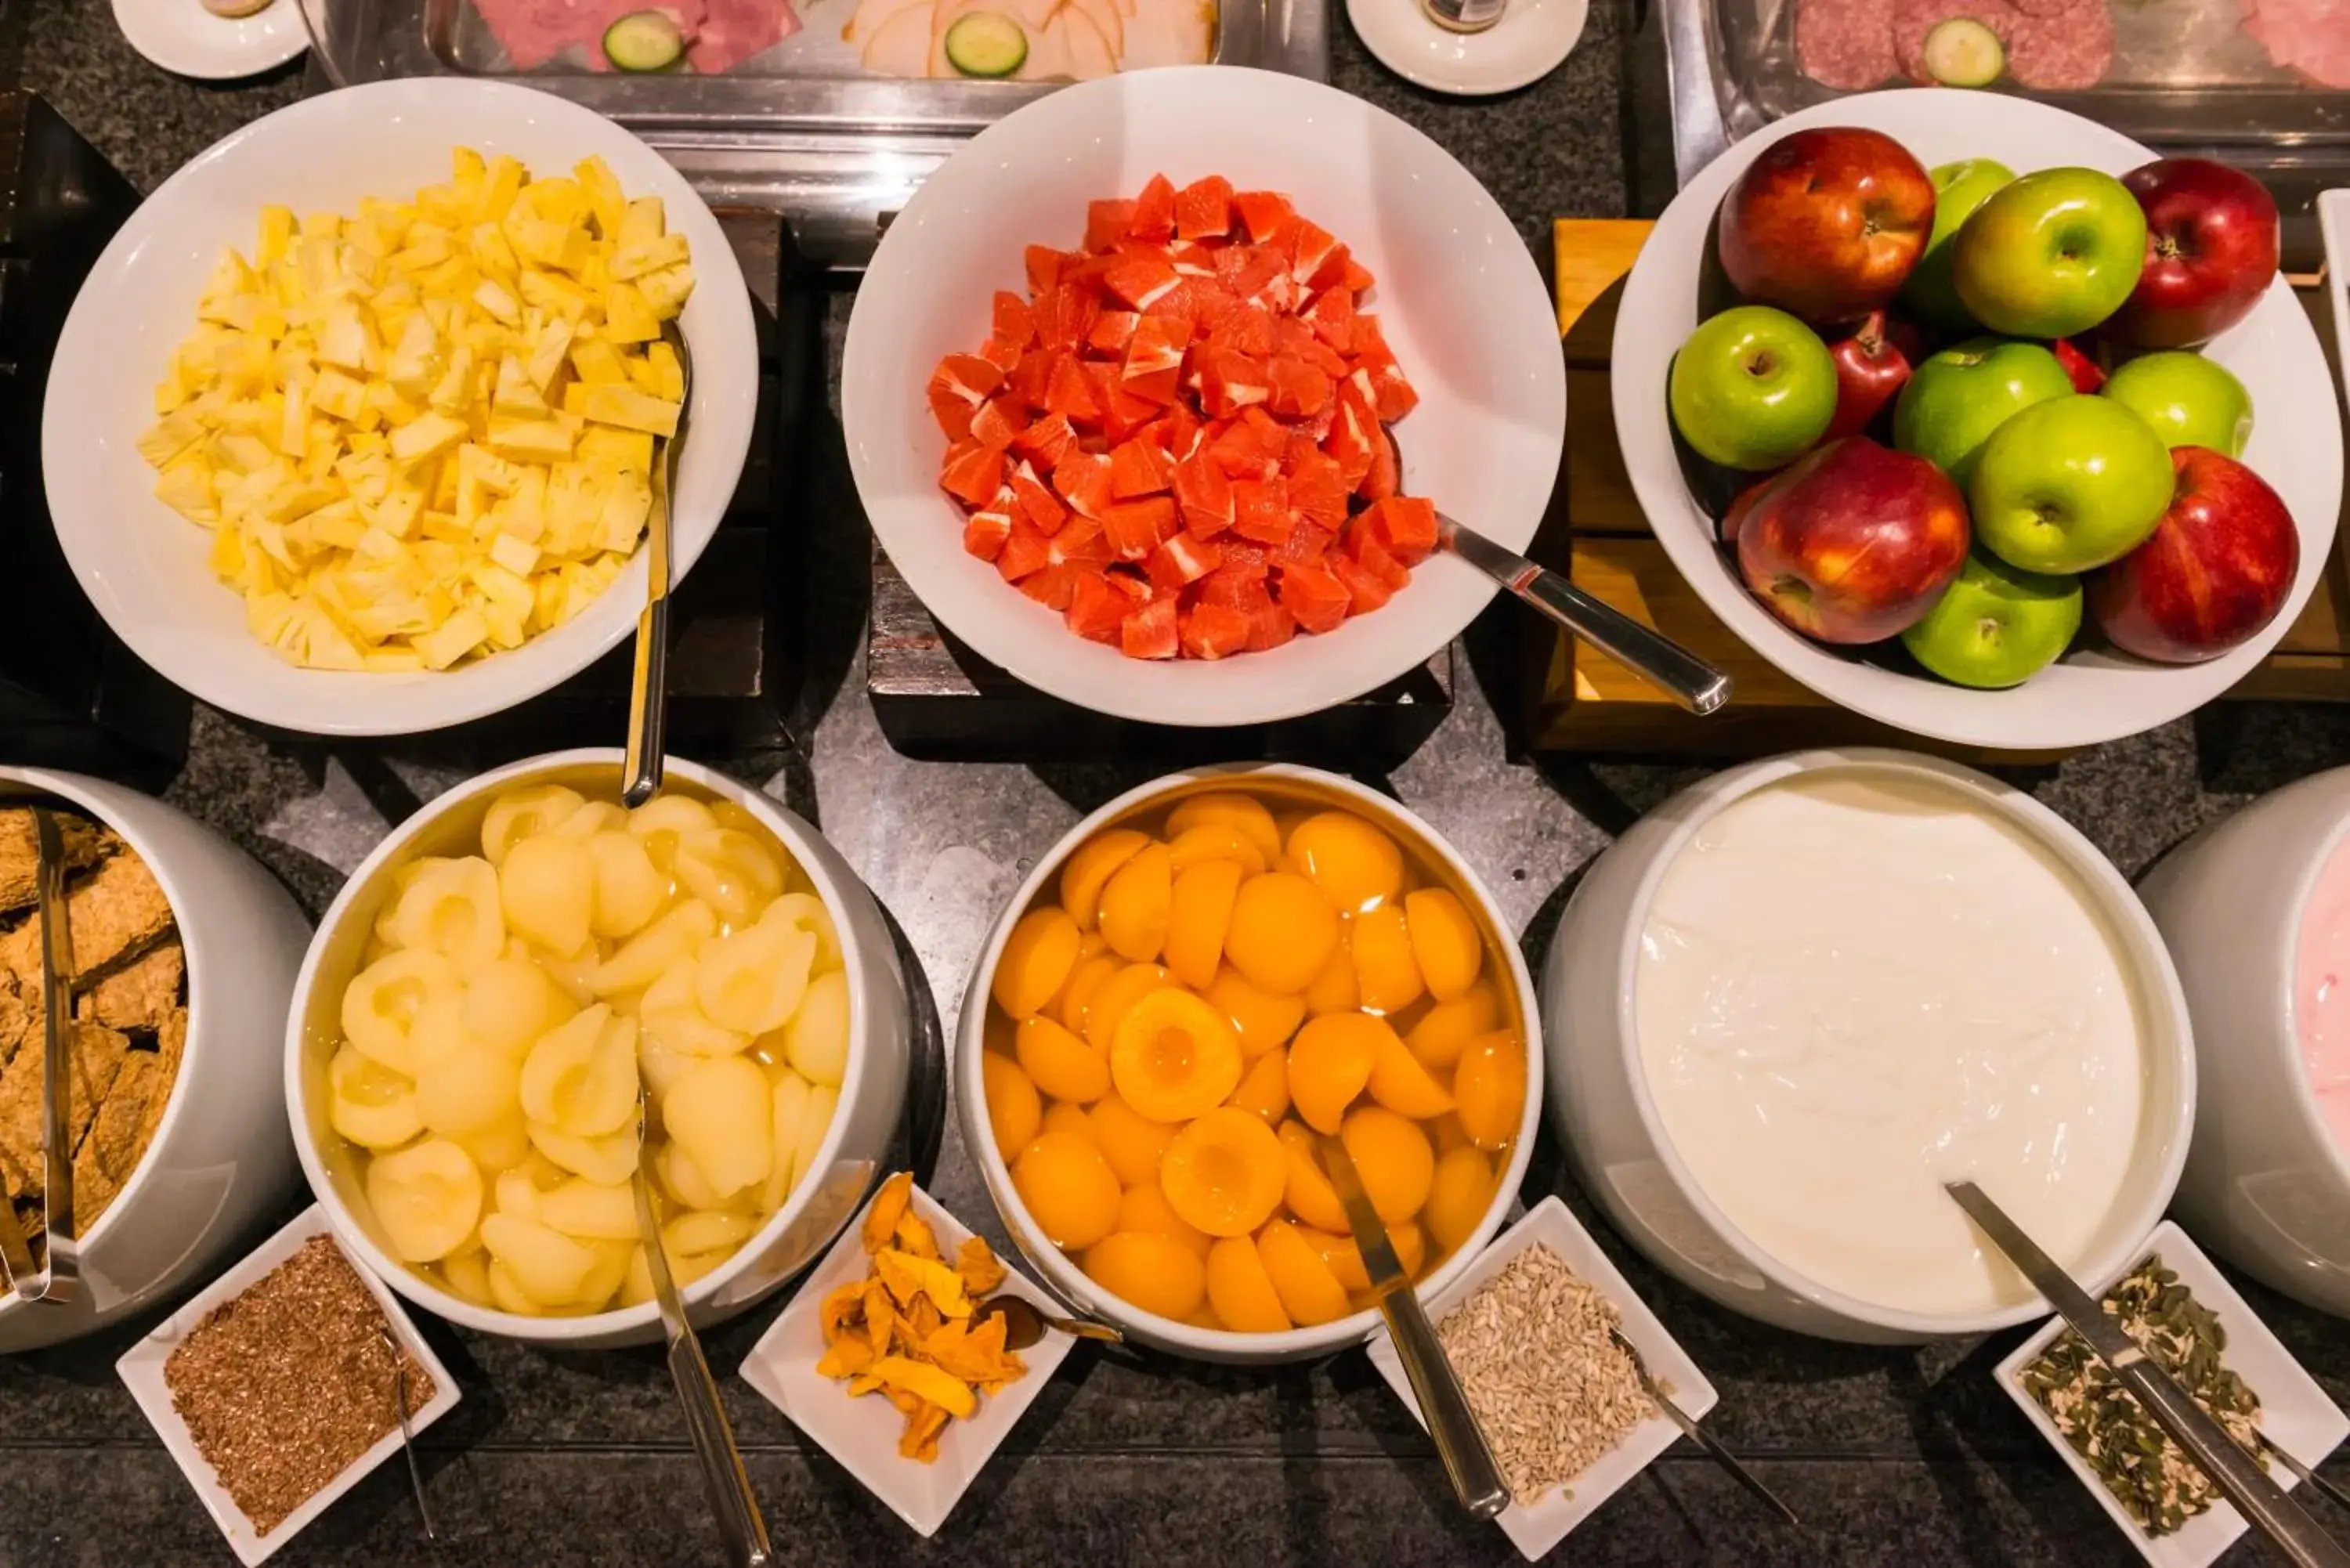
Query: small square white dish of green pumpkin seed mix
(2191, 1320)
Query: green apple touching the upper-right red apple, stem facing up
(2050, 255)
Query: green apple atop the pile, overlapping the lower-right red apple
(2069, 485)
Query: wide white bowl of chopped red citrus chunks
(1153, 394)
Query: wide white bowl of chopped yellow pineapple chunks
(351, 429)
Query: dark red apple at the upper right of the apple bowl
(2210, 253)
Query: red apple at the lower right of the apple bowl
(2213, 572)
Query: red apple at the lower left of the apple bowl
(1855, 542)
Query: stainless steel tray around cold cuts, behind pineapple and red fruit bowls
(800, 130)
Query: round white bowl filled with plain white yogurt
(1801, 996)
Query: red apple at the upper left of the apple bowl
(1827, 225)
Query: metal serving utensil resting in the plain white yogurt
(2267, 1506)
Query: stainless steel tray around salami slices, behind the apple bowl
(2187, 79)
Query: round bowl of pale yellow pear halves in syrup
(476, 1012)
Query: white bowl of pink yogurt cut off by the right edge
(2257, 913)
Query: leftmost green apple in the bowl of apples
(1754, 389)
